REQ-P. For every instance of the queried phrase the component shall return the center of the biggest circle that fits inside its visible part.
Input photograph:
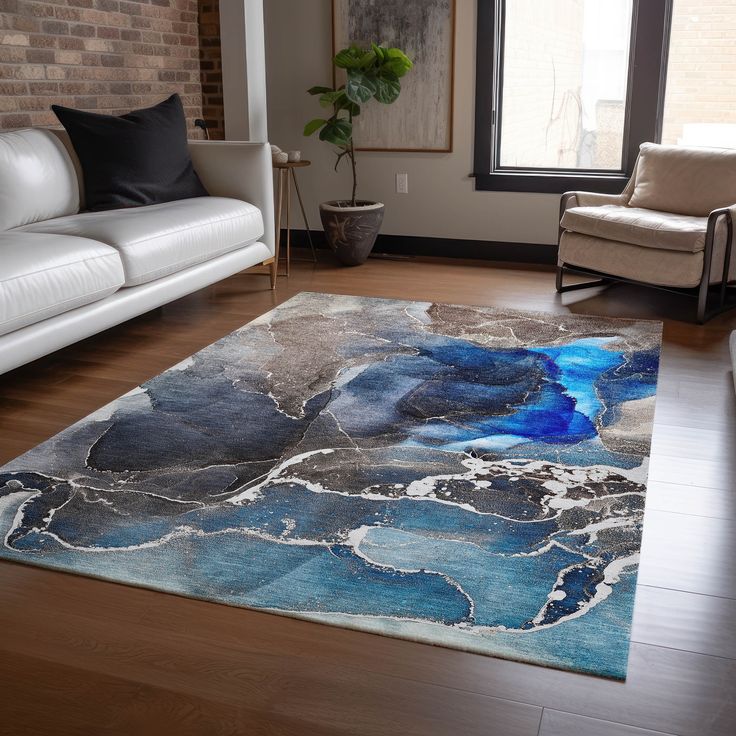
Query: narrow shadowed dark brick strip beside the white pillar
(211, 65)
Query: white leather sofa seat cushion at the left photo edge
(45, 275)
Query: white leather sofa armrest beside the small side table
(240, 170)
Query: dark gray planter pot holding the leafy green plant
(351, 231)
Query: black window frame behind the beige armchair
(650, 32)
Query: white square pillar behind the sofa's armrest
(243, 70)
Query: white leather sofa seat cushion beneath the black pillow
(161, 239)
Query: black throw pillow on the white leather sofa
(135, 159)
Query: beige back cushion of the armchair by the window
(684, 180)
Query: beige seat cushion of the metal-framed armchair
(638, 226)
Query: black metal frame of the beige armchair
(701, 292)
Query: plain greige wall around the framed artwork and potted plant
(442, 201)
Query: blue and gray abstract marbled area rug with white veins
(463, 476)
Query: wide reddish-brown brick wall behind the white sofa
(101, 55)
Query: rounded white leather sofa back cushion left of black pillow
(37, 178)
